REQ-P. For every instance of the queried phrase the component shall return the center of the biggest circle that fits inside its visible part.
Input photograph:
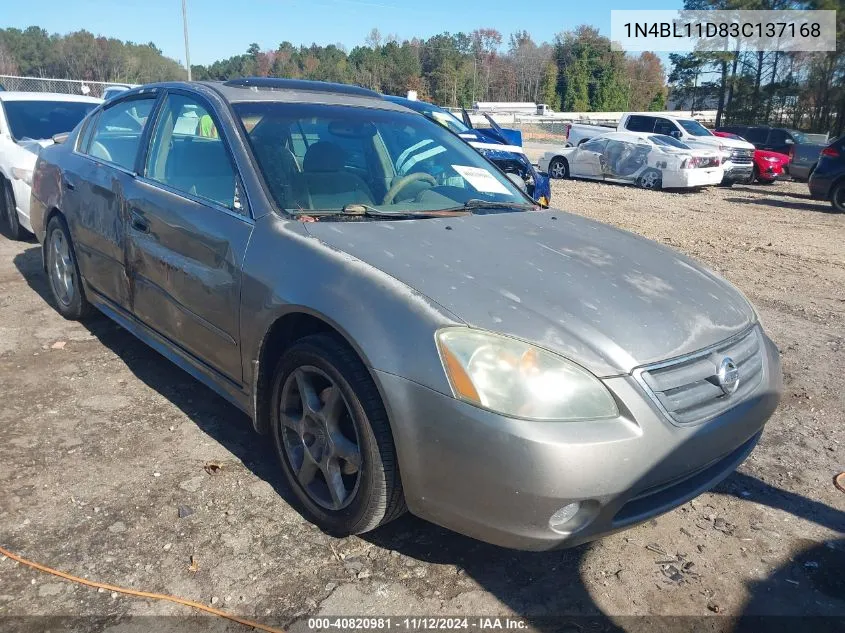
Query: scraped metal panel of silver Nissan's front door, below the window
(185, 268)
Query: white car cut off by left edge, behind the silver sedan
(28, 122)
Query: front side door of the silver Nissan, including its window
(188, 235)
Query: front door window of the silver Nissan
(187, 153)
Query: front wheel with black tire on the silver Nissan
(368, 488)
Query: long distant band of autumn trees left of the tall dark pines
(576, 71)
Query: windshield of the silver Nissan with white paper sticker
(329, 158)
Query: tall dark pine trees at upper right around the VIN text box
(794, 89)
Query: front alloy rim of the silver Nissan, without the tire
(320, 437)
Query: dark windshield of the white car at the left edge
(42, 119)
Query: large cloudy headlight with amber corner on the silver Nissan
(517, 379)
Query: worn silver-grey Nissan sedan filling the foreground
(405, 324)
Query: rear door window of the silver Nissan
(116, 135)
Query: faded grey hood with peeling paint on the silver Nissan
(600, 296)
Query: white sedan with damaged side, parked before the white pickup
(651, 161)
